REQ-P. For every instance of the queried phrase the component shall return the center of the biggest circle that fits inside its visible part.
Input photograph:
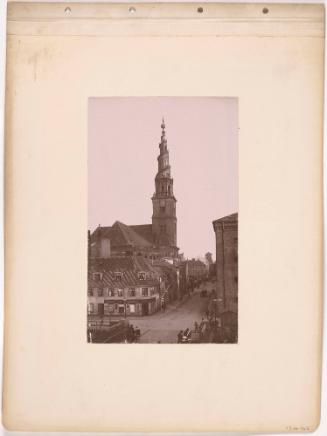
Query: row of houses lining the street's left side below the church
(137, 286)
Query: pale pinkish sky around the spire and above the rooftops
(123, 142)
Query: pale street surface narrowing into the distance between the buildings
(165, 325)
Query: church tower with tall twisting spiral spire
(164, 221)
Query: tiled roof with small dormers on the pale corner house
(128, 266)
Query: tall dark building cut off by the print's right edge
(226, 230)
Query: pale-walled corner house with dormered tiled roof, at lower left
(123, 286)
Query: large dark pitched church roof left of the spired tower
(121, 234)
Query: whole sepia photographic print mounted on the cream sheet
(163, 220)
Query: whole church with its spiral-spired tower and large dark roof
(154, 241)
